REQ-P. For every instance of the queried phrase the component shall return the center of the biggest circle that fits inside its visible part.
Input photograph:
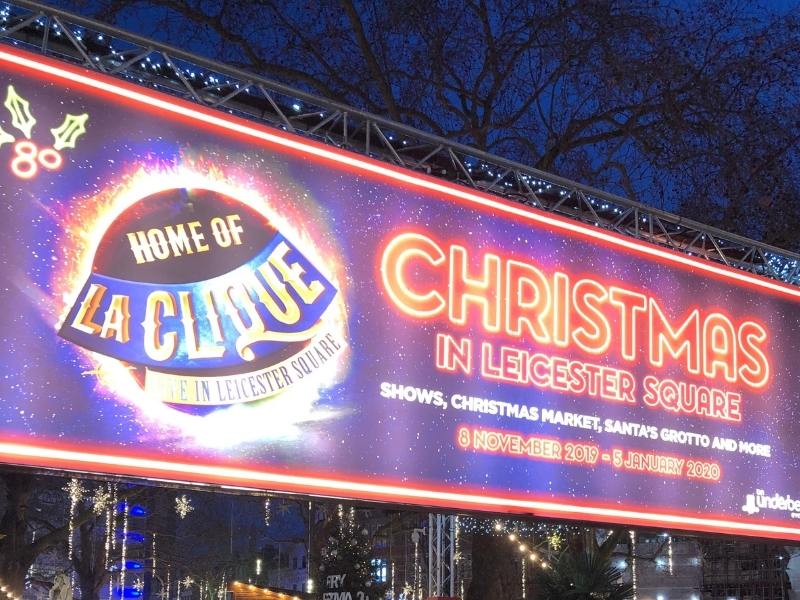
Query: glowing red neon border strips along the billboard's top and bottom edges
(99, 461)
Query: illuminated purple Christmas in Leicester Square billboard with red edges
(189, 296)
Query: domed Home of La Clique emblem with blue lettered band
(206, 301)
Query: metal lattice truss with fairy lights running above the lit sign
(109, 50)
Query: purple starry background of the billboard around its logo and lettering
(339, 430)
